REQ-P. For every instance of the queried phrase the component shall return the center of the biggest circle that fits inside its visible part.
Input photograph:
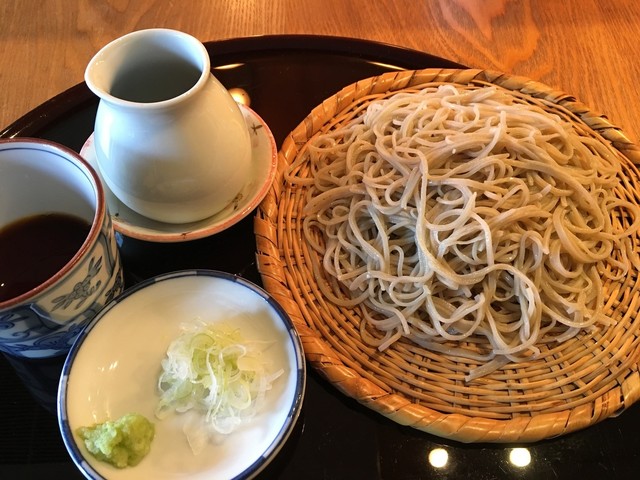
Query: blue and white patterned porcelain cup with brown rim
(38, 177)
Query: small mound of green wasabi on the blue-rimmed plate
(123, 442)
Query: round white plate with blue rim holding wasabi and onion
(113, 368)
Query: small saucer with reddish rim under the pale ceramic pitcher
(264, 157)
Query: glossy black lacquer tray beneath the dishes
(335, 438)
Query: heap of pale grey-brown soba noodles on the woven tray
(466, 220)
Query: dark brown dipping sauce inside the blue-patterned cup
(35, 248)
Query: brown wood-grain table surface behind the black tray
(588, 48)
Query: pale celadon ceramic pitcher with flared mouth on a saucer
(171, 143)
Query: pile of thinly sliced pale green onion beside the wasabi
(213, 370)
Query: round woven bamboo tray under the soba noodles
(571, 386)
